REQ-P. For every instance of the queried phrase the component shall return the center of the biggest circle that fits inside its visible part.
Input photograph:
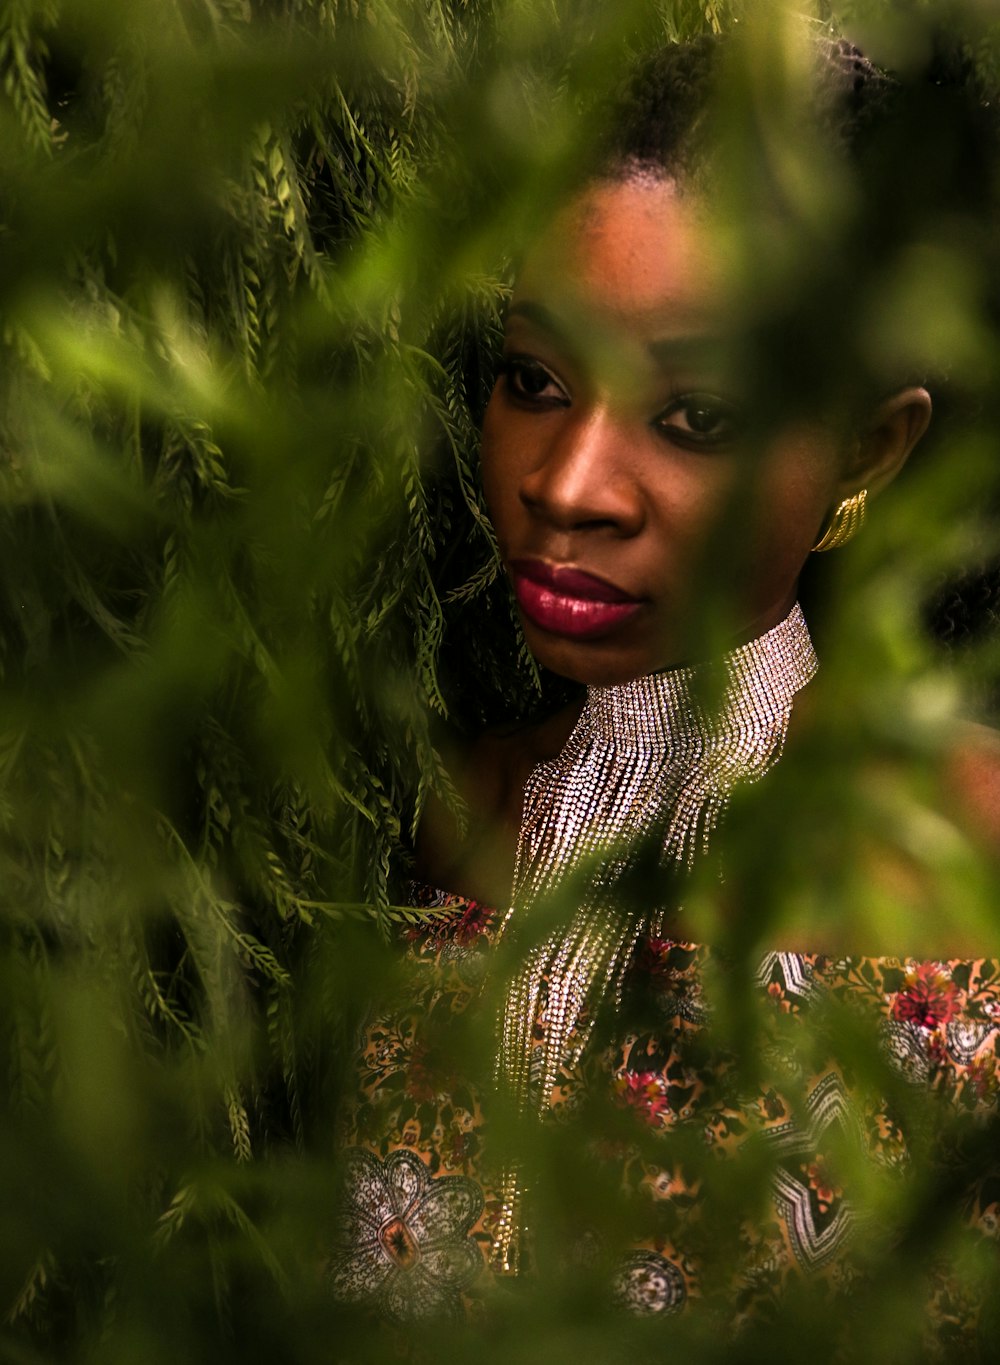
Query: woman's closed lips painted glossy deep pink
(570, 603)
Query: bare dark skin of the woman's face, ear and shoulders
(613, 447)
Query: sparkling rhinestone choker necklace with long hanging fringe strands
(650, 765)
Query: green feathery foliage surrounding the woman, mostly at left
(254, 259)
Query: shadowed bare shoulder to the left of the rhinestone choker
(489, 773)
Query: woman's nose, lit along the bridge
(586, 478)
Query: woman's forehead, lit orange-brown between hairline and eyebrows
(639, 255)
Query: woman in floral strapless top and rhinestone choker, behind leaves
(639, 492)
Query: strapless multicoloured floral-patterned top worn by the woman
(420, 1201)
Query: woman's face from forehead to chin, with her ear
(624, 487)
